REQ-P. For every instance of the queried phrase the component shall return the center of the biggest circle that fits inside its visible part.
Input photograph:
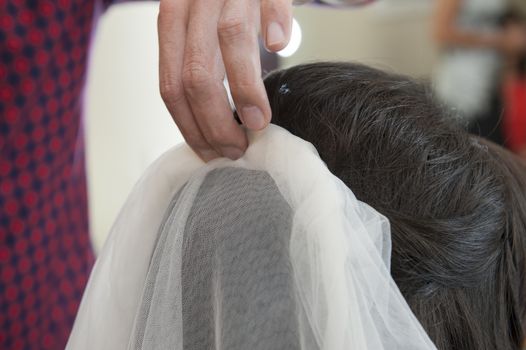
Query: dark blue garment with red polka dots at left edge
(45, 251)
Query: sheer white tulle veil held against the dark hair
(338, 292)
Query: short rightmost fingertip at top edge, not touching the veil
(276, 23)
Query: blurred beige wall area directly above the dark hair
(392, 34)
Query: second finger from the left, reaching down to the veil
(203, 75)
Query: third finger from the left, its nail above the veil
(240, 51)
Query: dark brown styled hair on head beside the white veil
(456, 203)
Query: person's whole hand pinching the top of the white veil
(200, 41)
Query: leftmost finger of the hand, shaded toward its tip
(172, 32)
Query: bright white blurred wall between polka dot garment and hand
(126, 121)
